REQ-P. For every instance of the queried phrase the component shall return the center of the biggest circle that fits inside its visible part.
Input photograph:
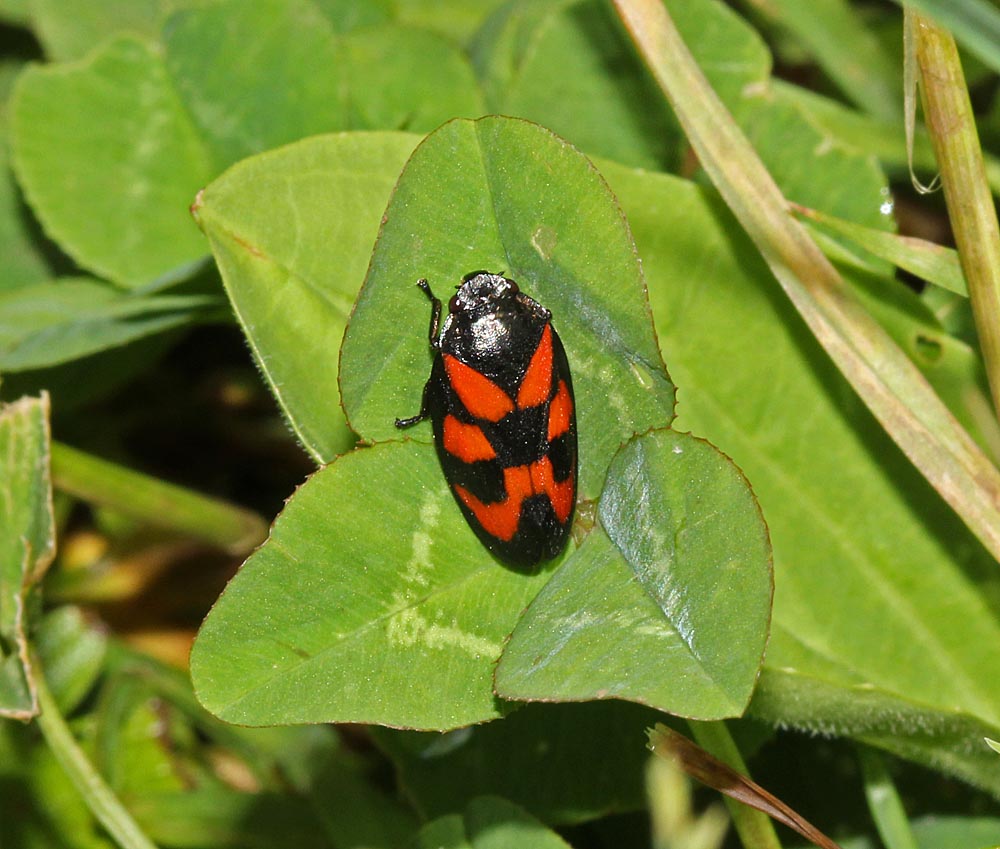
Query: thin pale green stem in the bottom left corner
(103, 803)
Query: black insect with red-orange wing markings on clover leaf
(500, 399)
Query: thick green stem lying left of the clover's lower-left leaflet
(232, 528)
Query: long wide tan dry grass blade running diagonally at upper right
(886, 380)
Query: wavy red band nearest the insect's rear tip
(500, 518)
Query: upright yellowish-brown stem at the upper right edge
(951, 123)
